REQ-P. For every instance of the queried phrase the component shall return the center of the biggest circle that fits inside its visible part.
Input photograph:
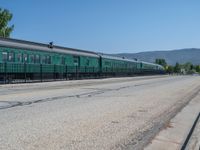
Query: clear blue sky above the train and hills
(109, 26)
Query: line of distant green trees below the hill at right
(186, 68)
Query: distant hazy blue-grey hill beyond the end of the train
(172, 56)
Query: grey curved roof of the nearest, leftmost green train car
(15, 43)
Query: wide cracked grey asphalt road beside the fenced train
(118, 113)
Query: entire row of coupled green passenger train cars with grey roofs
(25, 61)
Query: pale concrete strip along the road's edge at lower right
(175, 133)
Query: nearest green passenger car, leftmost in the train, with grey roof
(35, 61)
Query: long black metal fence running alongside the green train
(15, 72)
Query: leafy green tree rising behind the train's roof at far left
(5, 17)
